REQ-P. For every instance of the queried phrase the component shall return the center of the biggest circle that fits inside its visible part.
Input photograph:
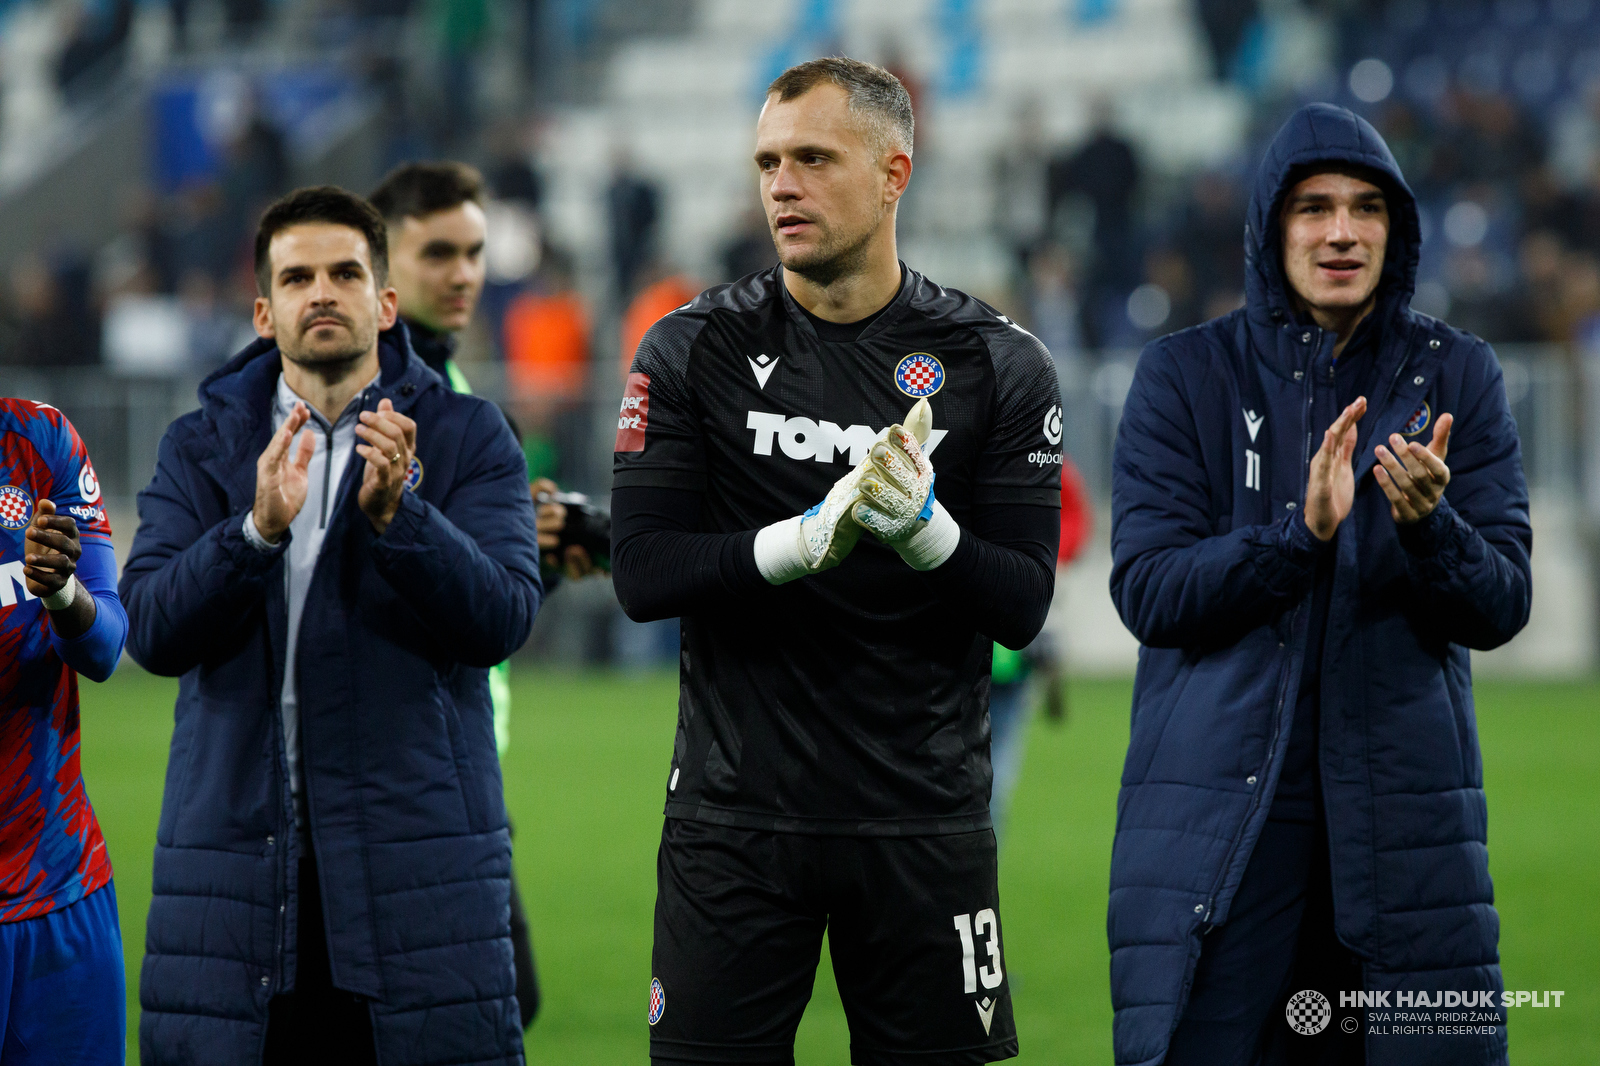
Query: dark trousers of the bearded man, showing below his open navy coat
(318, 1024)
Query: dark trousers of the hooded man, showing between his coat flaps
(1278, 942)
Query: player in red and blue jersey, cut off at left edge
(62, 979)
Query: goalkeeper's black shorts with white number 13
(914, 929)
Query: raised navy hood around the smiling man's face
(1322, 134)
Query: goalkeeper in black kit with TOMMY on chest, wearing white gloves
(846, 479)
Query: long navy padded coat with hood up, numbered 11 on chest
(1214, 579)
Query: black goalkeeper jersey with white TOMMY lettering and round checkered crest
(854, 702)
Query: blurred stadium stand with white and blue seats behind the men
(1081, 164)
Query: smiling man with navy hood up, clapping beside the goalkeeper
(1303, 803)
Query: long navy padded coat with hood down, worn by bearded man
(398, 747)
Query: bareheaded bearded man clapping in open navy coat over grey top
(332, 555)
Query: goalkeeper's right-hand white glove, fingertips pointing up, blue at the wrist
(897, 495)
